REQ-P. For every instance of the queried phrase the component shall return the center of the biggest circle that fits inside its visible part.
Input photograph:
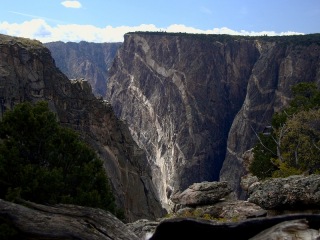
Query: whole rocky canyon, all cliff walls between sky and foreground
(176, 109)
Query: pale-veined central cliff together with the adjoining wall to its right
(191, 101)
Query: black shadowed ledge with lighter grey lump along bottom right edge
(304, 225)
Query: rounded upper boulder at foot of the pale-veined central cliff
(204, 193)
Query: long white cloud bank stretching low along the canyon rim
(39, 29)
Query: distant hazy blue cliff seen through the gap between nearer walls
(90, 61)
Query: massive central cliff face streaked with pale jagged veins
(179, 96)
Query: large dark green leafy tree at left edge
(43, 162)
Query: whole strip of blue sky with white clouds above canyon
(108, 20)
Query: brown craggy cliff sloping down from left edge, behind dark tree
(28, 73)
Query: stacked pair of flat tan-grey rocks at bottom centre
(215, 201)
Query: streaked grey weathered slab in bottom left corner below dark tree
(35, 221)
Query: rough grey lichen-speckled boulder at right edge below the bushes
(294, 192)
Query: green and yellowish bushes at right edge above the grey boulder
(292, 146)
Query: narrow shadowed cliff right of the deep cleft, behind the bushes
(280, 65)
